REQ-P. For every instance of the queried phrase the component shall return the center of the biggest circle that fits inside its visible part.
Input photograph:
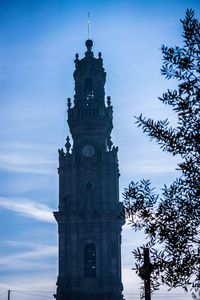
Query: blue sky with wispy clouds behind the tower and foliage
(38, 43)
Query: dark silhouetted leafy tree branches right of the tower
(172, 222)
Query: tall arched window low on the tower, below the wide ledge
(90, 260)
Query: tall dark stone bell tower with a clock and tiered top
(89, 216)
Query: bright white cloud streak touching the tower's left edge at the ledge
(28, 208)
